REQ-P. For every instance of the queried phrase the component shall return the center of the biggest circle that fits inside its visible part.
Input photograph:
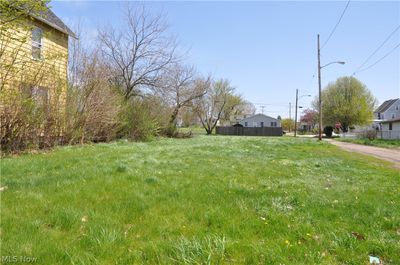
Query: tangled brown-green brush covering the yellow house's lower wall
(29, 119)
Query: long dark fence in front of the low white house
(250, 131)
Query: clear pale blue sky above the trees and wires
(268, 49)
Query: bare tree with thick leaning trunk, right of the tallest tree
(181, 87)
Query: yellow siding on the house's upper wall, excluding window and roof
(19, 68)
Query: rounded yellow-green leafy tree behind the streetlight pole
(347, 101)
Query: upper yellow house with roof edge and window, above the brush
(34, 56)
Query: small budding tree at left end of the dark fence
(220, 99)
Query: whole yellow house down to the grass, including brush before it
(33, 77)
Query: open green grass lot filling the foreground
(205, 200)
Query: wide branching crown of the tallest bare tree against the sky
(139, 53)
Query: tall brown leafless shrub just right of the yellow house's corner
(93, 105)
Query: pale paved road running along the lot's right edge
(391, 155)
